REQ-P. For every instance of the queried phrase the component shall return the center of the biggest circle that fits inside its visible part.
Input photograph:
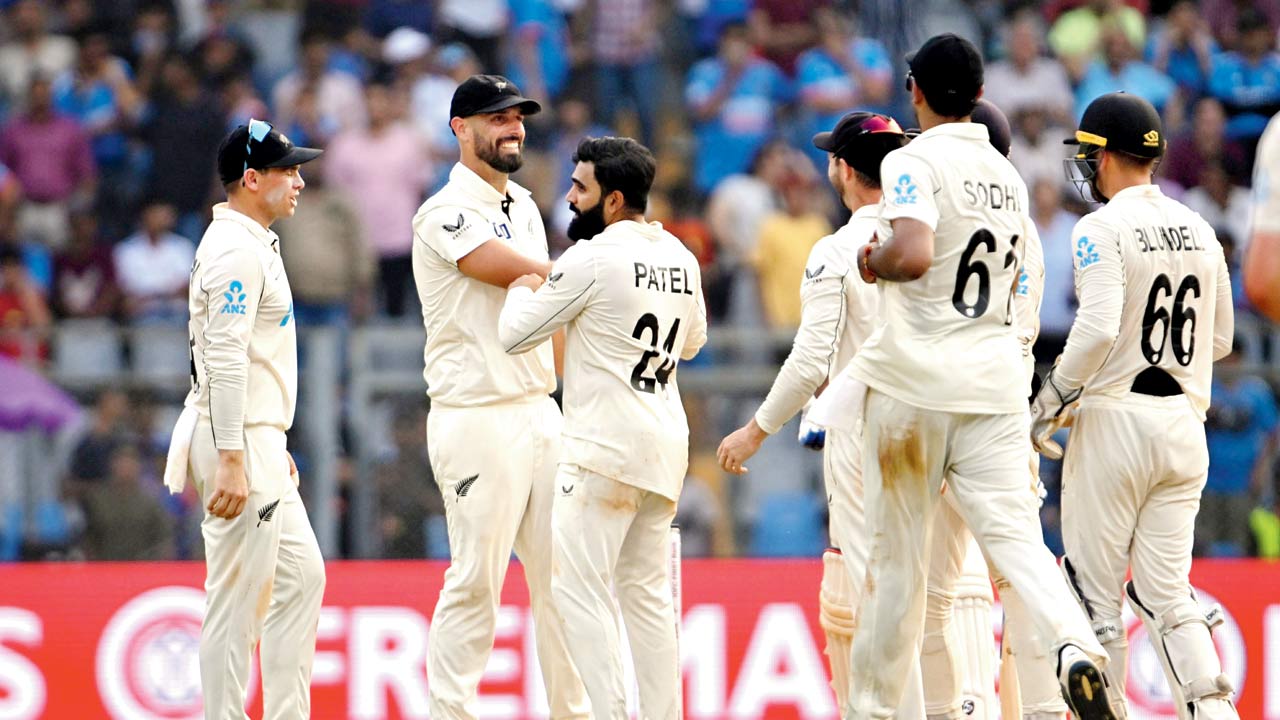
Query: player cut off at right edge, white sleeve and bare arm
(1261, 265)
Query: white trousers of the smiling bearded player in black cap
(496, 467)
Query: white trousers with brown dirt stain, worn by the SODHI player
(909, 450)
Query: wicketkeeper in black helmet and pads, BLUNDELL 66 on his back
(1155, 313)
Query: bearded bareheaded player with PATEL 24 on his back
(632, 298)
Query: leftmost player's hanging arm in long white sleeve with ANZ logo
(232, 285)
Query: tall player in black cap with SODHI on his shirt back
(941, 402)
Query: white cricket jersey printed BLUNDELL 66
(1154, 291)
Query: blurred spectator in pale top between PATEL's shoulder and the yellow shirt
(735, 212)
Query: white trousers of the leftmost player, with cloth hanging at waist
(266, 581)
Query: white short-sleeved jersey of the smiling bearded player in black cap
(464, 363)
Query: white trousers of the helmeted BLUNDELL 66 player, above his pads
(1132, 481)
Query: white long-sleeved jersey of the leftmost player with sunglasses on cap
(244, 341)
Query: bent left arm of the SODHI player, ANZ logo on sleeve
(904, 248)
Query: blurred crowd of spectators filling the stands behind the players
(112, 112)
